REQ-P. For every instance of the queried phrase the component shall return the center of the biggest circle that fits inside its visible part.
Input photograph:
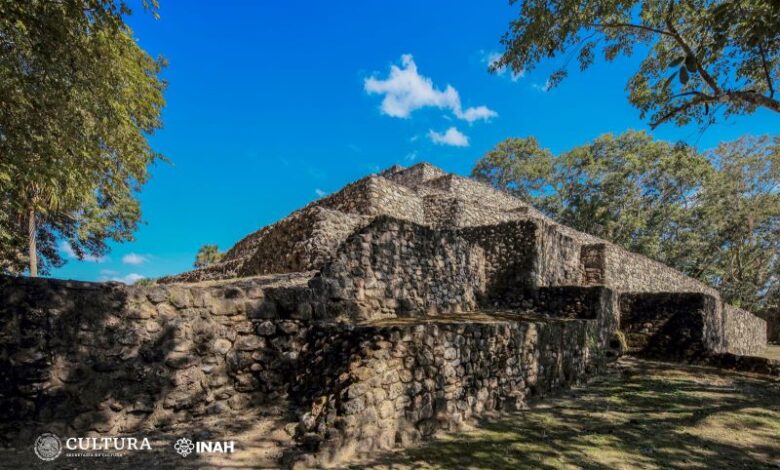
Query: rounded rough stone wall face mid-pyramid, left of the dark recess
(397, 268)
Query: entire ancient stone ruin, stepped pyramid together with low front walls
(407, 302)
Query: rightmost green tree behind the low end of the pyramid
(739, 220)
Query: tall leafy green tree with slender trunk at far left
(78, 100)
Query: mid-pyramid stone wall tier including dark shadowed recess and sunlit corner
(395, 268)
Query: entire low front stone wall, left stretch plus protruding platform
(78, 357)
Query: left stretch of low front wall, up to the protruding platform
(84, 357)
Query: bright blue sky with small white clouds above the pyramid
(267, 107)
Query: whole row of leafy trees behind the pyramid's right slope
(714, 216)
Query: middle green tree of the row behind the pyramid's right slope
(633, 191)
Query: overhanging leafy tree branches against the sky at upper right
(700, 56)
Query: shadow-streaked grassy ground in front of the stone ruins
(642, 415)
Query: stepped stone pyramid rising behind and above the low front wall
(415, 242)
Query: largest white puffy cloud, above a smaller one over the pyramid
(406, 91)
